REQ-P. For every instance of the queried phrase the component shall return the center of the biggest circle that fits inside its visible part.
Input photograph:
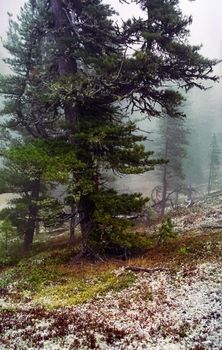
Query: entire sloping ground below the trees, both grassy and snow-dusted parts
(50, 301)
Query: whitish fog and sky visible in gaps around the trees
(203, 108)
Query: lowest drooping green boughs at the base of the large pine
(115, 233)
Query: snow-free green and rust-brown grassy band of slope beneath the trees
(48, 277)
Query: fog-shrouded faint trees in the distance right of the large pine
(196, 162)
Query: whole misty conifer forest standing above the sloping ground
(91, 127)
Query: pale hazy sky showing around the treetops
(206, 28)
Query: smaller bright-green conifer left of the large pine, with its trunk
(31, 170)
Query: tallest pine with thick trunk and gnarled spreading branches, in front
(73, 68)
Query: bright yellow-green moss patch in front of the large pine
(77, 291)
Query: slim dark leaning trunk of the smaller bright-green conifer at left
(33, 215)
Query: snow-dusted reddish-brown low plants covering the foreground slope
(161, 311)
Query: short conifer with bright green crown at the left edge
(23, 173)
